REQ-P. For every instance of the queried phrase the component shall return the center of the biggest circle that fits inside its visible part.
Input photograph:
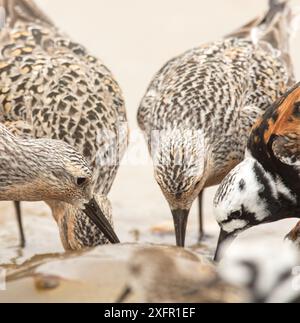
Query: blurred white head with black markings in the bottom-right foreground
(265, 267)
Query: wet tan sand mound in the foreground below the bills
(98, 275)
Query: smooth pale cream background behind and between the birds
(135, 38)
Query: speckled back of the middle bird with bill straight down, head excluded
(221, 88)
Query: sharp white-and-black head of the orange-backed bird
(247, 197)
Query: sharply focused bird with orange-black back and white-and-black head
(265, 187)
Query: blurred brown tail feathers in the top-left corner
(24, 10)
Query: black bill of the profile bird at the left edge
(94, 212)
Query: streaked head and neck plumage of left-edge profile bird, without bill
(40, 161)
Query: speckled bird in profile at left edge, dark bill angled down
(43, 169)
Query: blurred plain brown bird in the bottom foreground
(157, 276)
